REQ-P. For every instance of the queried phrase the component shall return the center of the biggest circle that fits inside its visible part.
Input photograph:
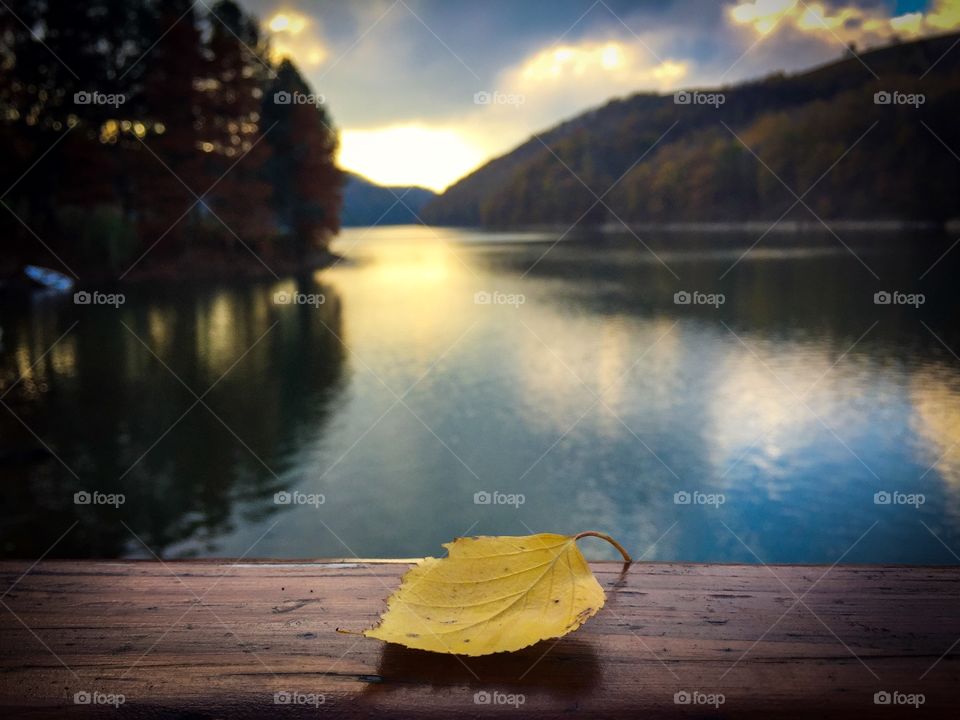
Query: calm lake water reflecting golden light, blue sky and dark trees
(597, 399)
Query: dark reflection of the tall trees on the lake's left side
(117, 401)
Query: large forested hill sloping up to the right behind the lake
(895, 166)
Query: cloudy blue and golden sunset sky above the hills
(400, 77)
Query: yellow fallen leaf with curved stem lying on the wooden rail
(494, 594)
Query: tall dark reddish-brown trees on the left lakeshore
(146, 136)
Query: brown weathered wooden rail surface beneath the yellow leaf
(212, 639)
